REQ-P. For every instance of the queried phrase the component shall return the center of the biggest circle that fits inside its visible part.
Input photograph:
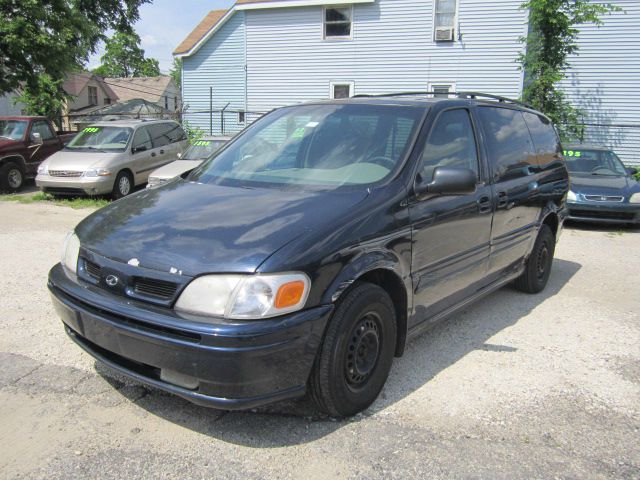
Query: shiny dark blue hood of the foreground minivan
(195, 228)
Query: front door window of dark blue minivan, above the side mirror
(451, 144)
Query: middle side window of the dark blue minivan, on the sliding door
(509, 144)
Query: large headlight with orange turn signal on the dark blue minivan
(245, 296)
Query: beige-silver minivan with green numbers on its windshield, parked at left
(111, 157)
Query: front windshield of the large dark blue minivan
(326, 145)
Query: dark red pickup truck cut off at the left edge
(24, 143)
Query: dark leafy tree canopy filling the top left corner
(55, 37)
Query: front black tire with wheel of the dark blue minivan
(354, 360)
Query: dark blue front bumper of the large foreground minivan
(230, 365)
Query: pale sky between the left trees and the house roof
(163, 25)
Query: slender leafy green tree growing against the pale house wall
(552, 38)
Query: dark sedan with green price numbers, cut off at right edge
(602, 189)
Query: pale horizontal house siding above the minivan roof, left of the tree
(392, 50)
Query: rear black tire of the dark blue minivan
(538, 266)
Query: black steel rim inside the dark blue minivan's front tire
(363, 350)
